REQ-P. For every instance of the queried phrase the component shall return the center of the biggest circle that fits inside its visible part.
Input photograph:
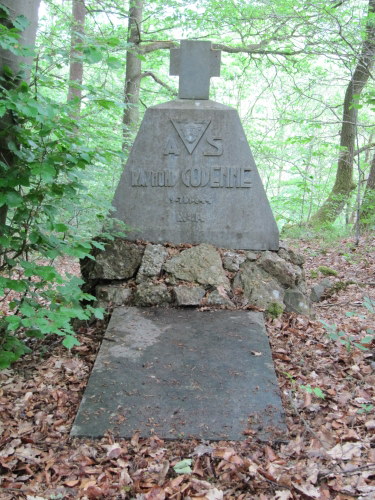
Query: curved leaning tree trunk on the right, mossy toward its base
(344, 184)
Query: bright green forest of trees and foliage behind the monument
(76, 78)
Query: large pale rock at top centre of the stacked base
(201, 264)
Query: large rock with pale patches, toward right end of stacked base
(260, 289)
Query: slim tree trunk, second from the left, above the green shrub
(76, 65)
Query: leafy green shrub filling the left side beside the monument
(41, 177)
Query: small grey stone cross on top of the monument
(195, 62)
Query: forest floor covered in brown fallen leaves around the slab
(327, 383)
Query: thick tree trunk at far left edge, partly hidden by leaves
(20, 68)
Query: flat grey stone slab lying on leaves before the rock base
(182, 374)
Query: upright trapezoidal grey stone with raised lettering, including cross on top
(190, 176)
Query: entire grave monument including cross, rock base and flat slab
(171, 369)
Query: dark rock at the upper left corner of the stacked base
(120, 260)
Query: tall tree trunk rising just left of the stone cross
(133, 72)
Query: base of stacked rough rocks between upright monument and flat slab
(143, 274)
